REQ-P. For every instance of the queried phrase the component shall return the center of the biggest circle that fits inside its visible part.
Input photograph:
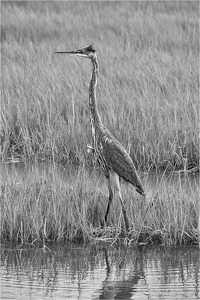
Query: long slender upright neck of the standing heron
(92, 93)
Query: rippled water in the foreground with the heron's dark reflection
(100, 272)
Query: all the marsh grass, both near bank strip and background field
(148, 97)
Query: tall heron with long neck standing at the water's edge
(114, 160)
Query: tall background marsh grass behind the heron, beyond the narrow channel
(148, 85)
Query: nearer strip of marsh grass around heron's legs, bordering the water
(42, 204)
